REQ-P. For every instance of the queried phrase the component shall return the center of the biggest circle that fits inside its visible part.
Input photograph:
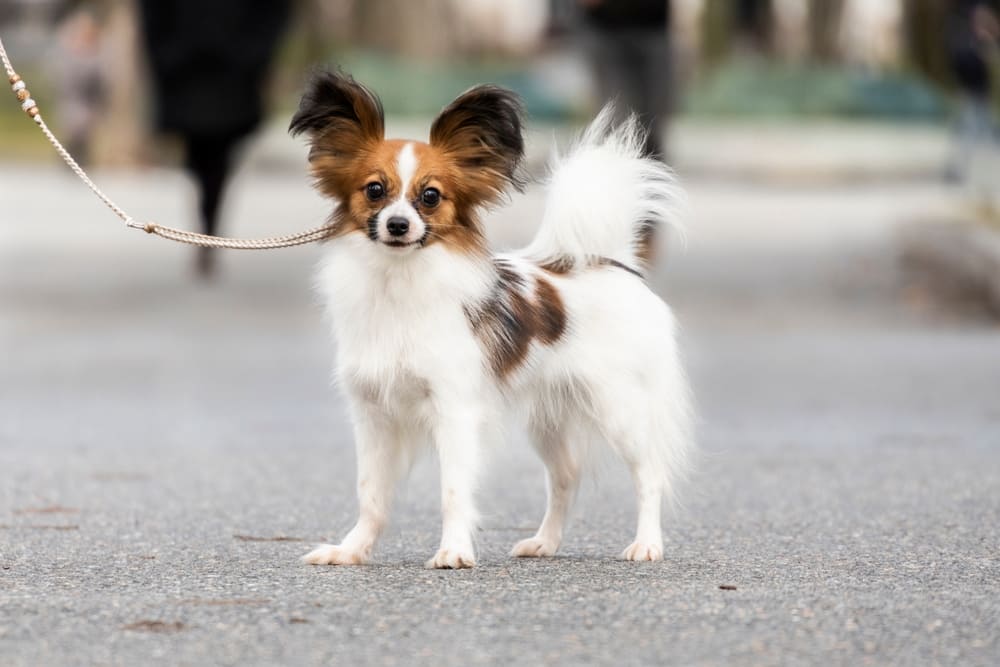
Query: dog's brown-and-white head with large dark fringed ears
(405, 195)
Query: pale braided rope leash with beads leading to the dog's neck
(30, 107)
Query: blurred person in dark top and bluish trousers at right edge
(972, 40)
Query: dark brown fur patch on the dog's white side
(507, 321)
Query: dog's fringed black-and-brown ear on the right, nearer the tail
(481, 131)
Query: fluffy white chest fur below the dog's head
(403, 336)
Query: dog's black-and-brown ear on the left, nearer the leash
(342, 117)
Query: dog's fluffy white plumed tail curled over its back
(606, 199)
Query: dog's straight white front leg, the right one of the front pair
(457, 438)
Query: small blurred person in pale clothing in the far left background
(81, 81)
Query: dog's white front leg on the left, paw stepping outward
(379, 463)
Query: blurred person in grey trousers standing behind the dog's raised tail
(628, 42)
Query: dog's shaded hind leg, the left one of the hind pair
(563, 476)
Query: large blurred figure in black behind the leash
(208, 62)
